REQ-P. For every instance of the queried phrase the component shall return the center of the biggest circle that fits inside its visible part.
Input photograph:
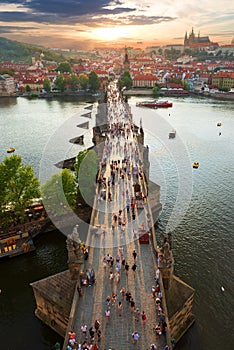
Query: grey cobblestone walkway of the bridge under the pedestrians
(107, 239)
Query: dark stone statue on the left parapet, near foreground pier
(75, 253)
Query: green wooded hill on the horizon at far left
(15, 51)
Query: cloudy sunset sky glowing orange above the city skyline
(89, 24)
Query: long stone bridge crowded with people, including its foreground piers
(125, 208)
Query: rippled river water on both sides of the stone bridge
(197, 208)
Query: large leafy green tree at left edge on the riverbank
(18, 187)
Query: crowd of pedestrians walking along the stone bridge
(120, 181)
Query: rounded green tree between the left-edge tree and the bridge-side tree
(59, 193)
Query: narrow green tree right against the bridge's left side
(86, 167)
